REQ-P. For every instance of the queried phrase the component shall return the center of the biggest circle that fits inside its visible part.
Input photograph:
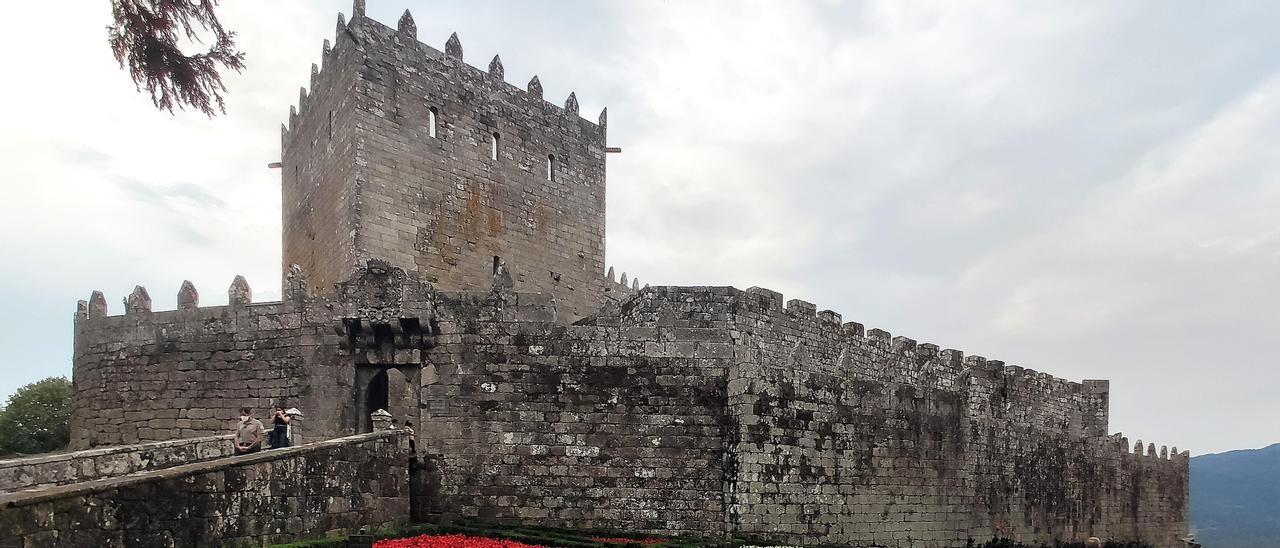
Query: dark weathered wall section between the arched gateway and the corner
(586, 426)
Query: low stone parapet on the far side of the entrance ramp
(109, 463)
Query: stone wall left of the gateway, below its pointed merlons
(148, 377)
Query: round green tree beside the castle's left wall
(36, 418)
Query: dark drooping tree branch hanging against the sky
(145, 39)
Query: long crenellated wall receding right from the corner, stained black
(854, 436)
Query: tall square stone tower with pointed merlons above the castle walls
(404, 153)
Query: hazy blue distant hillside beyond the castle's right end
(1236, 499)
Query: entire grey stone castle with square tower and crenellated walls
(444, 255)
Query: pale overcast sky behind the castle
(1085, 189)
